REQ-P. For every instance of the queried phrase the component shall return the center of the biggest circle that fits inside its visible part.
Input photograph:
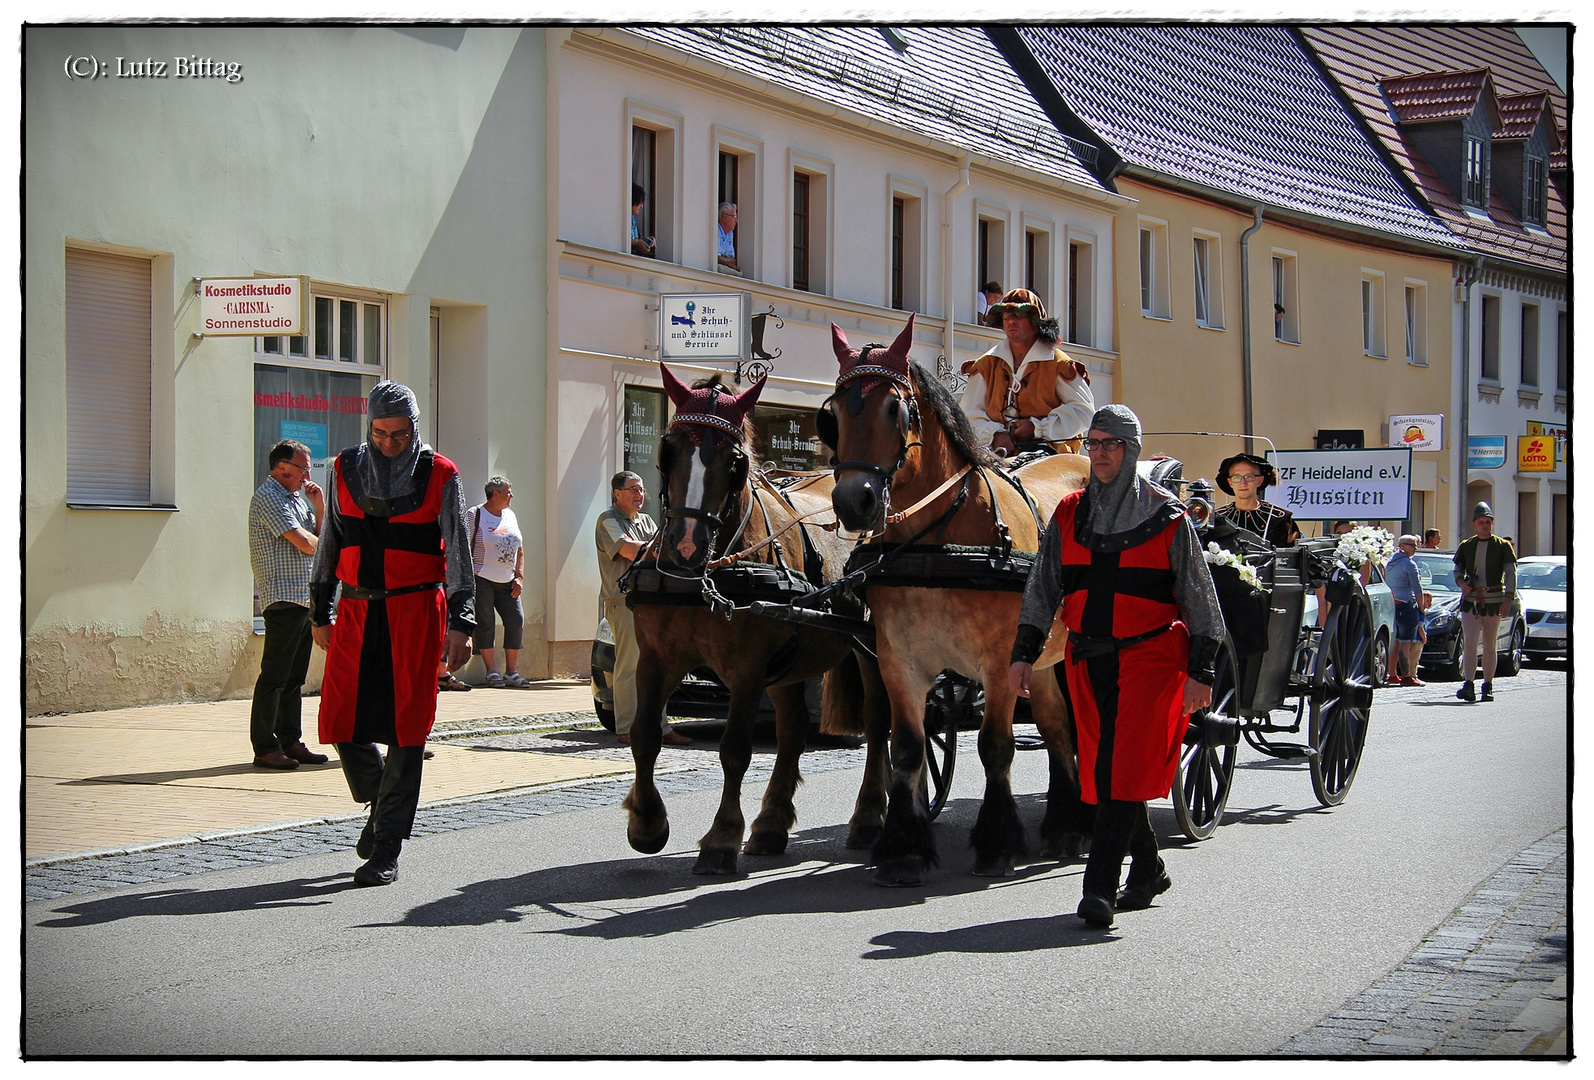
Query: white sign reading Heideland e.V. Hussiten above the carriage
(1356, 483)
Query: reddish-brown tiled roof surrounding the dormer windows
(1360, 58)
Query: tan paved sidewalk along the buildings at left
(108, 781)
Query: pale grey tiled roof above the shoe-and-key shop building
(949, 84)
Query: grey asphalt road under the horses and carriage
(548, 936)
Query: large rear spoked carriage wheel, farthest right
(1341, 698)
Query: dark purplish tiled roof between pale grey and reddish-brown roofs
(1233, 108)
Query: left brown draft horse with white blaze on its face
(720, 506)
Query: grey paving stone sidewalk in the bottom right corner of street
(1490, 984)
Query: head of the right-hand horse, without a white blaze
(870, 425)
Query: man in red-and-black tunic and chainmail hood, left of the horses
(396, 541)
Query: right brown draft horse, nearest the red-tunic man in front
(900, 437)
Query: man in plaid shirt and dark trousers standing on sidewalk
(285, 523)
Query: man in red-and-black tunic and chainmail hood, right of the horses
(1144, 628)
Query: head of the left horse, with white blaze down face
(702, 463)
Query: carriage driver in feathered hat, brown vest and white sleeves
(1026, 393)
